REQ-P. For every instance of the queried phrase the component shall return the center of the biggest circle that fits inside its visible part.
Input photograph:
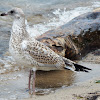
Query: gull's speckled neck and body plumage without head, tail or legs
(29, 52)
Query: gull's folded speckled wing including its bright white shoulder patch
(41, 53)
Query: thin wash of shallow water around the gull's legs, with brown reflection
(14, 84)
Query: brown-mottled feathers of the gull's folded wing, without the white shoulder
(41, 53)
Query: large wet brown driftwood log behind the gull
(76, 38)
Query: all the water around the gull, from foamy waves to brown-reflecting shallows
(42, 15)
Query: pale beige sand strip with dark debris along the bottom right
(89, 90)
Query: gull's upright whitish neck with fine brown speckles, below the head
(19, 29)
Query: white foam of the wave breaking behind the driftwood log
(62, 17)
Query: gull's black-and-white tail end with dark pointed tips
(74, 66)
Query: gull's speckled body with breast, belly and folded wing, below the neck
(30, 52)
